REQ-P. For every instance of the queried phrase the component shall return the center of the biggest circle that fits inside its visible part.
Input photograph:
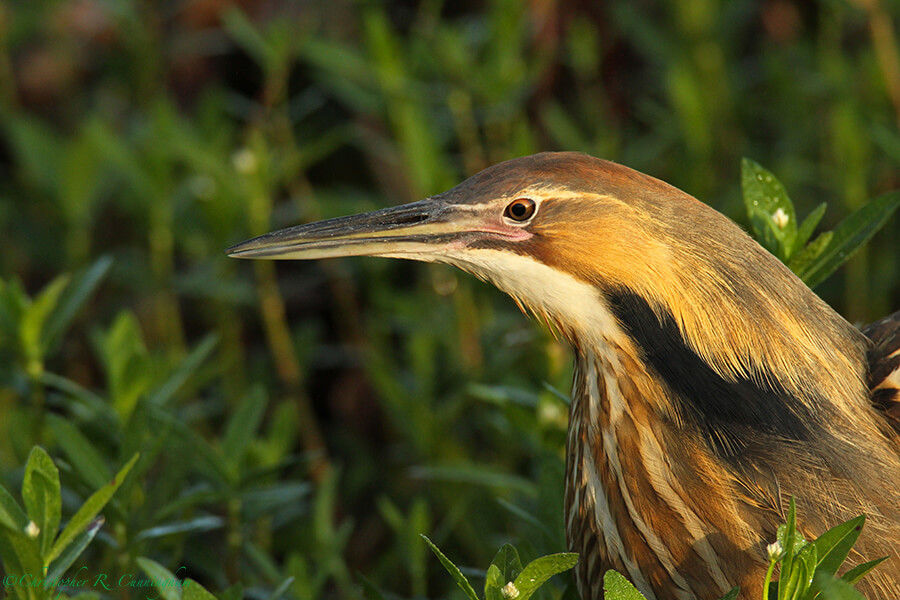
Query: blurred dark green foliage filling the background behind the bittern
(304, 422)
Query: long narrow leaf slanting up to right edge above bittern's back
(849, 235)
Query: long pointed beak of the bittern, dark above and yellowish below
(417, 231)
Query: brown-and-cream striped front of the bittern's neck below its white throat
(626, 481)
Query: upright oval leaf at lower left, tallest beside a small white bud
(41, 494)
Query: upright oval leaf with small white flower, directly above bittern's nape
(770, 210)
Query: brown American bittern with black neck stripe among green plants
(711, 384)
